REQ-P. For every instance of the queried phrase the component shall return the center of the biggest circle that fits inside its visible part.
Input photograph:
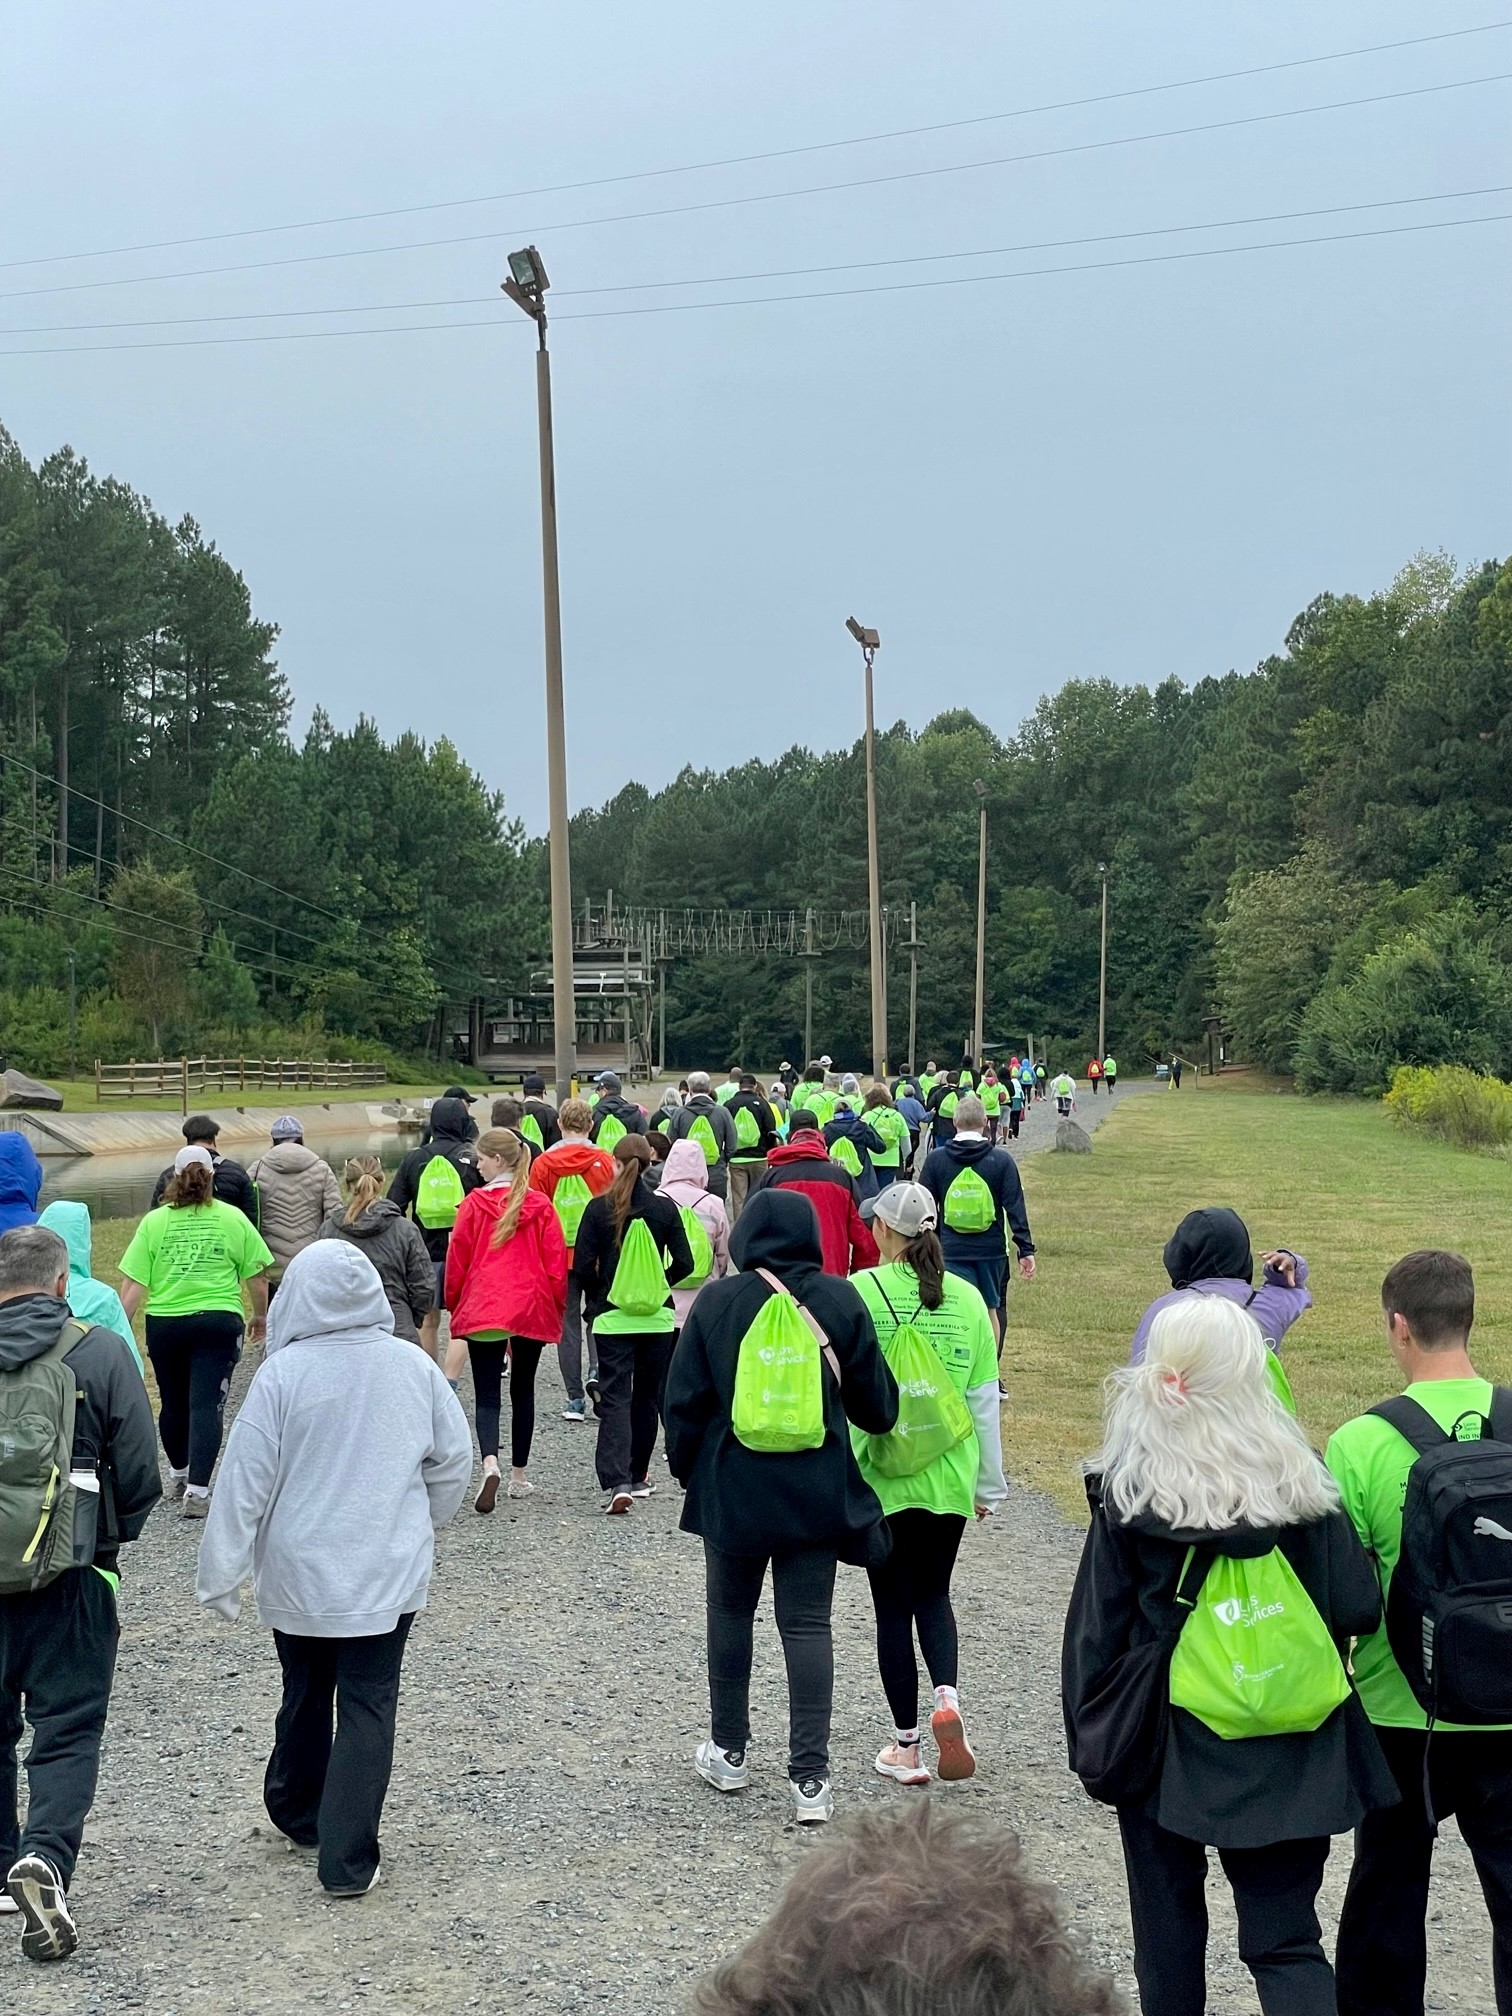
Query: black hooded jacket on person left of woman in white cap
(743, 1501)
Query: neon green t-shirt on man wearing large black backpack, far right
(1372, 1463)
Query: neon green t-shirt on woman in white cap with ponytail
(961, 1332)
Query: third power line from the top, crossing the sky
(779, 273)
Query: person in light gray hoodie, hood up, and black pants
(346, 1459)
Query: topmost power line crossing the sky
(773, 154)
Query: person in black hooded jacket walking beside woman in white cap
(795, 1513)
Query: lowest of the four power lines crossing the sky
(745, 301)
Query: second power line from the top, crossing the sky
(771, 197)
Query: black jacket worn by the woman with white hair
(1261, 1789)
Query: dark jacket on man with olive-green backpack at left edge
(114, 1432)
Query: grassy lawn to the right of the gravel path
(1336, 1180)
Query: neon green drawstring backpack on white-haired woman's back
(1255, 1658)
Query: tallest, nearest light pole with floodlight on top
(527, 289)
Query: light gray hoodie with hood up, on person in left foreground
(348, 1455)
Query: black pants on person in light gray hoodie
(326, 1793)
